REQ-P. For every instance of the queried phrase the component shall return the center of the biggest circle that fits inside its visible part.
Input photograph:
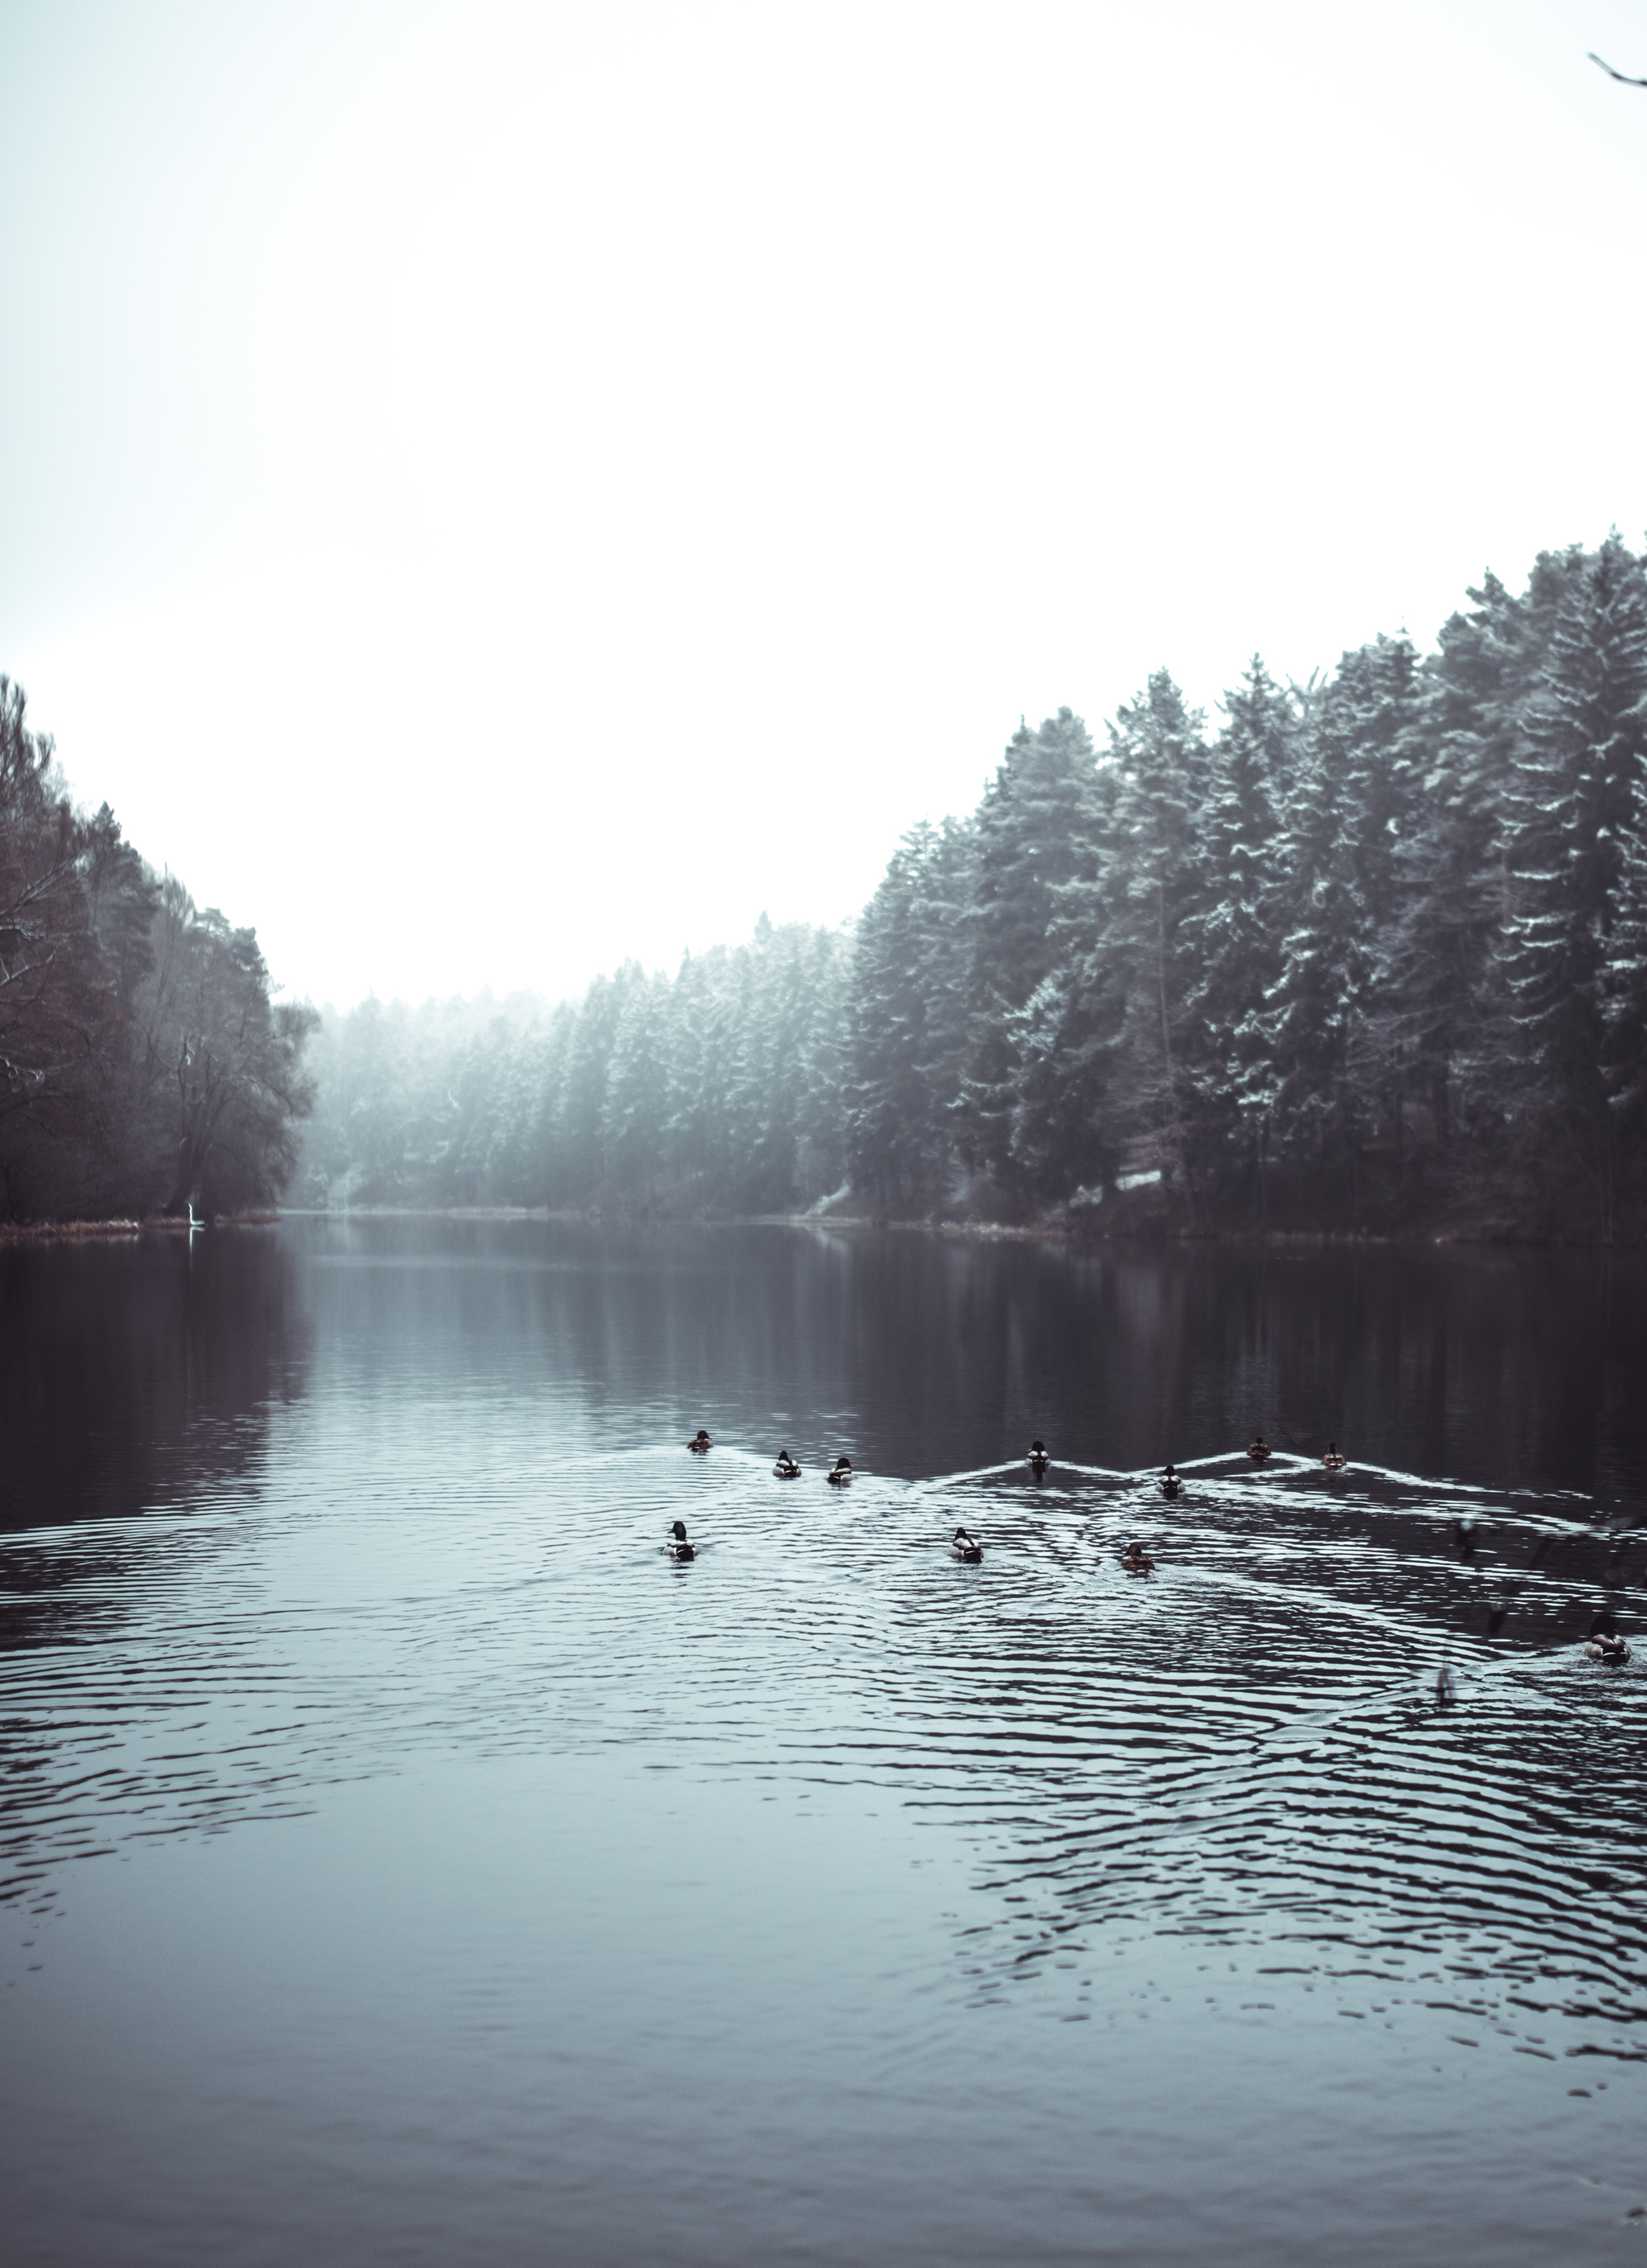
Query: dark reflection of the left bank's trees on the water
(135, 1376)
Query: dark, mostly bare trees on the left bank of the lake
(144, 1065)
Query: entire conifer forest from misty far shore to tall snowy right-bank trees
(1369, 954)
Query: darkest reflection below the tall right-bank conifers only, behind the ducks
(1512, 1369)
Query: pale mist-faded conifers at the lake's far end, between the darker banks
(718, 1090)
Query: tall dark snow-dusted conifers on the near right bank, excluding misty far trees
(1367, 951)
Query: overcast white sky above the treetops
(493, 491)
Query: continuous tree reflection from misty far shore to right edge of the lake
(1505, 1366)
